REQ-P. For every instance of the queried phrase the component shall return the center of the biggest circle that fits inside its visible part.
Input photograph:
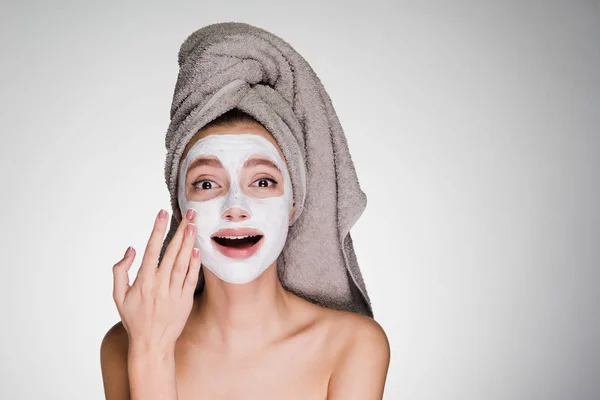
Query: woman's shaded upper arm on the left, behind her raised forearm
(113, 362)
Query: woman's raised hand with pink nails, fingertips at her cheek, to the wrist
(156, 307)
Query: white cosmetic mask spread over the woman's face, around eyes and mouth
(268, 216)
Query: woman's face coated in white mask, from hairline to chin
(236, 179)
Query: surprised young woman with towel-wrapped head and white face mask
(279, 309)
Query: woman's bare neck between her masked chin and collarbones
(242, 318)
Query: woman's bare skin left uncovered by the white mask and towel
(251, 341)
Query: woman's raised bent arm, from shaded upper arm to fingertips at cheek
(153, 311)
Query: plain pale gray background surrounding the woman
(475, 130)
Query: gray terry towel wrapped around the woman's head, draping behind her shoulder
(236, 65)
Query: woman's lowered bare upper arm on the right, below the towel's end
(362, 365)
